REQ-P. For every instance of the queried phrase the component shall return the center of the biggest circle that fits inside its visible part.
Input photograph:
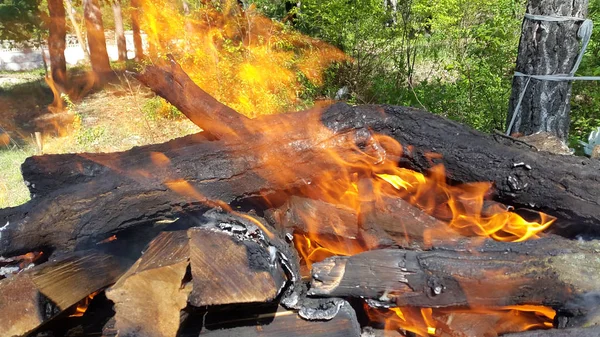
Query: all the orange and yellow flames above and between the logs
(227, 48)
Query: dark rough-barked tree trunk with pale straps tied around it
(546, 48)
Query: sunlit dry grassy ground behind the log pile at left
(122, 115)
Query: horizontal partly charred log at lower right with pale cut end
(551, 272)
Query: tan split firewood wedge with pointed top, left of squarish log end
(149, 297)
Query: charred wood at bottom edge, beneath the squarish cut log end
(287, 323)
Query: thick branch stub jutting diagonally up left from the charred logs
(173, 84)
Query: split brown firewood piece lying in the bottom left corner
(37, 295)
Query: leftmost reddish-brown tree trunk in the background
(57, 42)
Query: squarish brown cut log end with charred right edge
(227, 270)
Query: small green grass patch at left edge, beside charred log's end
(13, 191)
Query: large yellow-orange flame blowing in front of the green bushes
(228, 48)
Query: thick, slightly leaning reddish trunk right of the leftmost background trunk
(96, 39)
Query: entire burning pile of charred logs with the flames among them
(339, 220)
